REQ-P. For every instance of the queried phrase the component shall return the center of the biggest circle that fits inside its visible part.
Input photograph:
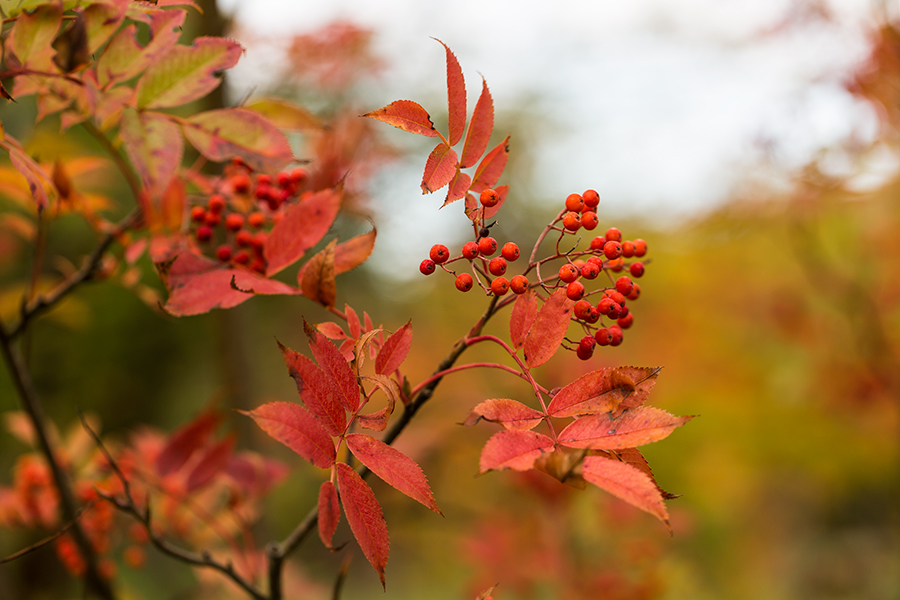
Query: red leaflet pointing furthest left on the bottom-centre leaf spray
(294, 427)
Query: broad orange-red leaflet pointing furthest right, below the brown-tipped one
(634, 428)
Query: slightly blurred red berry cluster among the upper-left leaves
(234, 222)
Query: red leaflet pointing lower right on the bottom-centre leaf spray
(395, 468)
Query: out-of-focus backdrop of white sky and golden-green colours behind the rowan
(753, 145)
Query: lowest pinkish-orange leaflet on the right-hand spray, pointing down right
(626, 482)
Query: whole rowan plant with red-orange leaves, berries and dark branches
(119, 72)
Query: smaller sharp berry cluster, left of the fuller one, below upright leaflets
(484, 247)
